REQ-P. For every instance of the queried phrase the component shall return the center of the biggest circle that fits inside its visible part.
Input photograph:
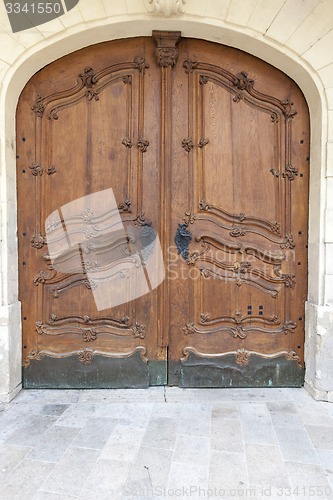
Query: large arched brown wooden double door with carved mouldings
(205, 151)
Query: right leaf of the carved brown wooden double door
(240, 231)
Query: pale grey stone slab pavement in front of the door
(166, 442)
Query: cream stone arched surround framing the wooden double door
(24, 69)
